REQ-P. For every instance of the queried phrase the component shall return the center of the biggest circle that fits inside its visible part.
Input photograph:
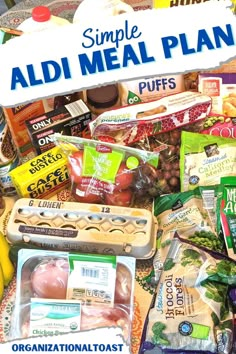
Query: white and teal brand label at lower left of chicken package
(50, 317)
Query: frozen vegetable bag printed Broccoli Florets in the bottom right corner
(191, 311)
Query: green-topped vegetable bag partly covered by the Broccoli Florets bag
(191, 213)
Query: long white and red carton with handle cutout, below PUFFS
(132, 123)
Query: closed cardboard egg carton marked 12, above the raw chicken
(92, 228)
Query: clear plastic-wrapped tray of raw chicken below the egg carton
(63, 292)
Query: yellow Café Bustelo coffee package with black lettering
(43, 176)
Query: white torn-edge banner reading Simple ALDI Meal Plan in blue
(118, 48)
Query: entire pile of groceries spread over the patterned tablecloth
(149, 170)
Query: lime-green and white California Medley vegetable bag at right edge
(204, 159)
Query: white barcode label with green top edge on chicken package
(97, 278)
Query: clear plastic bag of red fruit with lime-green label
(109, 174)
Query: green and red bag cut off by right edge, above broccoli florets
(227, 213)
